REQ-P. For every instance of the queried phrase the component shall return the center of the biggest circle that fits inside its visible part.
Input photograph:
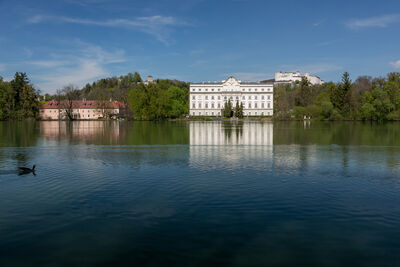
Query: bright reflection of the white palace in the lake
(231, 145)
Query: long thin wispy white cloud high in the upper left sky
(157, 26)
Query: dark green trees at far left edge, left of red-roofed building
(18, 98)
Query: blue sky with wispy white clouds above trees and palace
(74, 42)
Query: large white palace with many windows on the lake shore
(209, 98)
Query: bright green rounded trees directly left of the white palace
(159, 100)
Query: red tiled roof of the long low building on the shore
(84, 104)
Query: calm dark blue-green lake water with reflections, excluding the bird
(200, 194)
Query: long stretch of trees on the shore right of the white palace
(365, 99)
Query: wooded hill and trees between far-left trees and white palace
(160, 99)
